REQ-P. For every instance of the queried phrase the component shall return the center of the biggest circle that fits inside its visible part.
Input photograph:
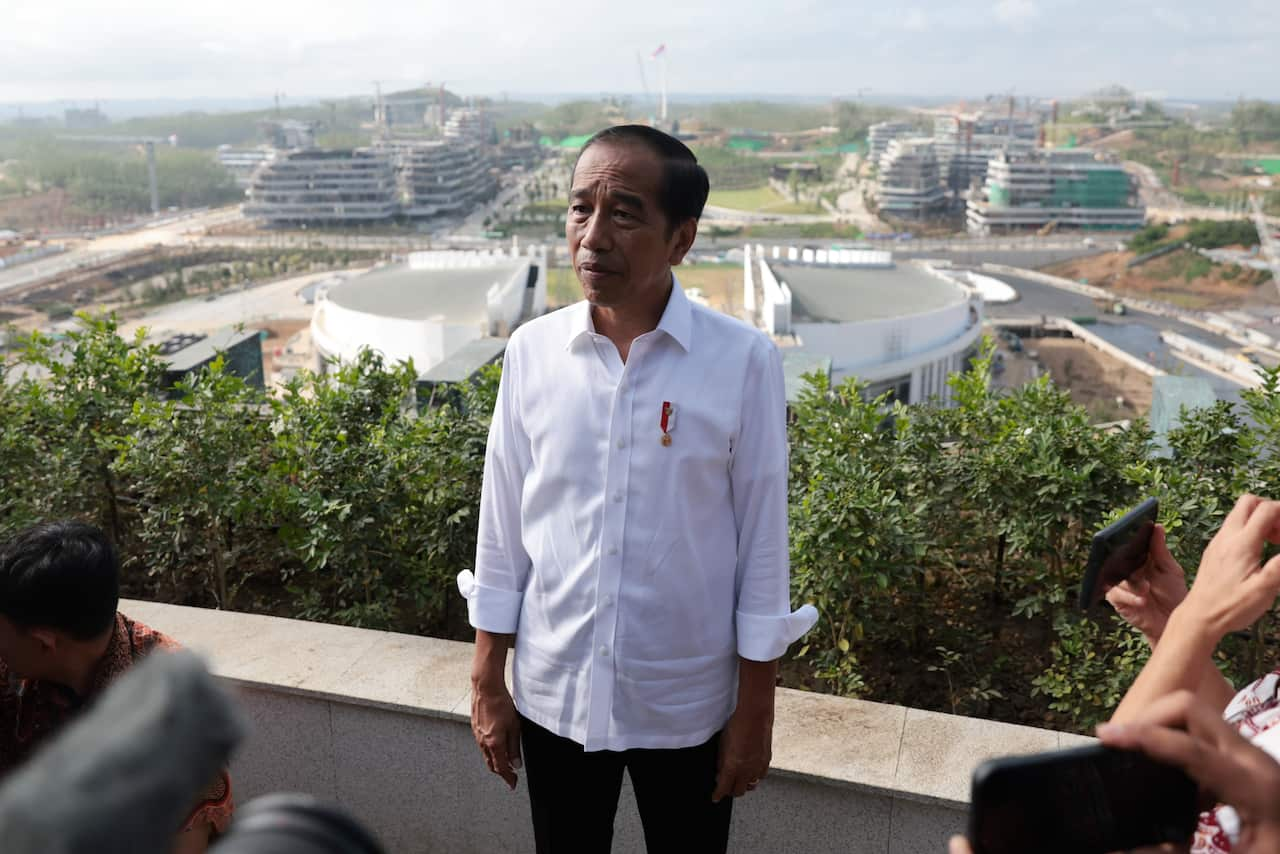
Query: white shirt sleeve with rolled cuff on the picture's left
(496, 592)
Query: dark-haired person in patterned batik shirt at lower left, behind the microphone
(63, 643)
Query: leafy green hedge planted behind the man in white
(943, 546)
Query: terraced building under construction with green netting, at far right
(1046, 190)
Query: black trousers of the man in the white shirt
(575, 796)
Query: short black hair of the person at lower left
(62, 576)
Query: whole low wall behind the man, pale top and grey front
(380, 723)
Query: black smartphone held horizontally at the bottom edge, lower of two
(1085, 801)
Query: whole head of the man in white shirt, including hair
(636, 200)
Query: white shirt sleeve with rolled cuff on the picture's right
(766, 624)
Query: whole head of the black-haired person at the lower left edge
(60, 590)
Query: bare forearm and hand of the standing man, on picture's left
(495, 723)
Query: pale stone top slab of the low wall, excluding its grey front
(872, 747)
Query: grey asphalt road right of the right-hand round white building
(1137, 334)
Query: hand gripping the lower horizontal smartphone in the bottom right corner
(1182, 732)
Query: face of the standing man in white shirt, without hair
(620, 240)
